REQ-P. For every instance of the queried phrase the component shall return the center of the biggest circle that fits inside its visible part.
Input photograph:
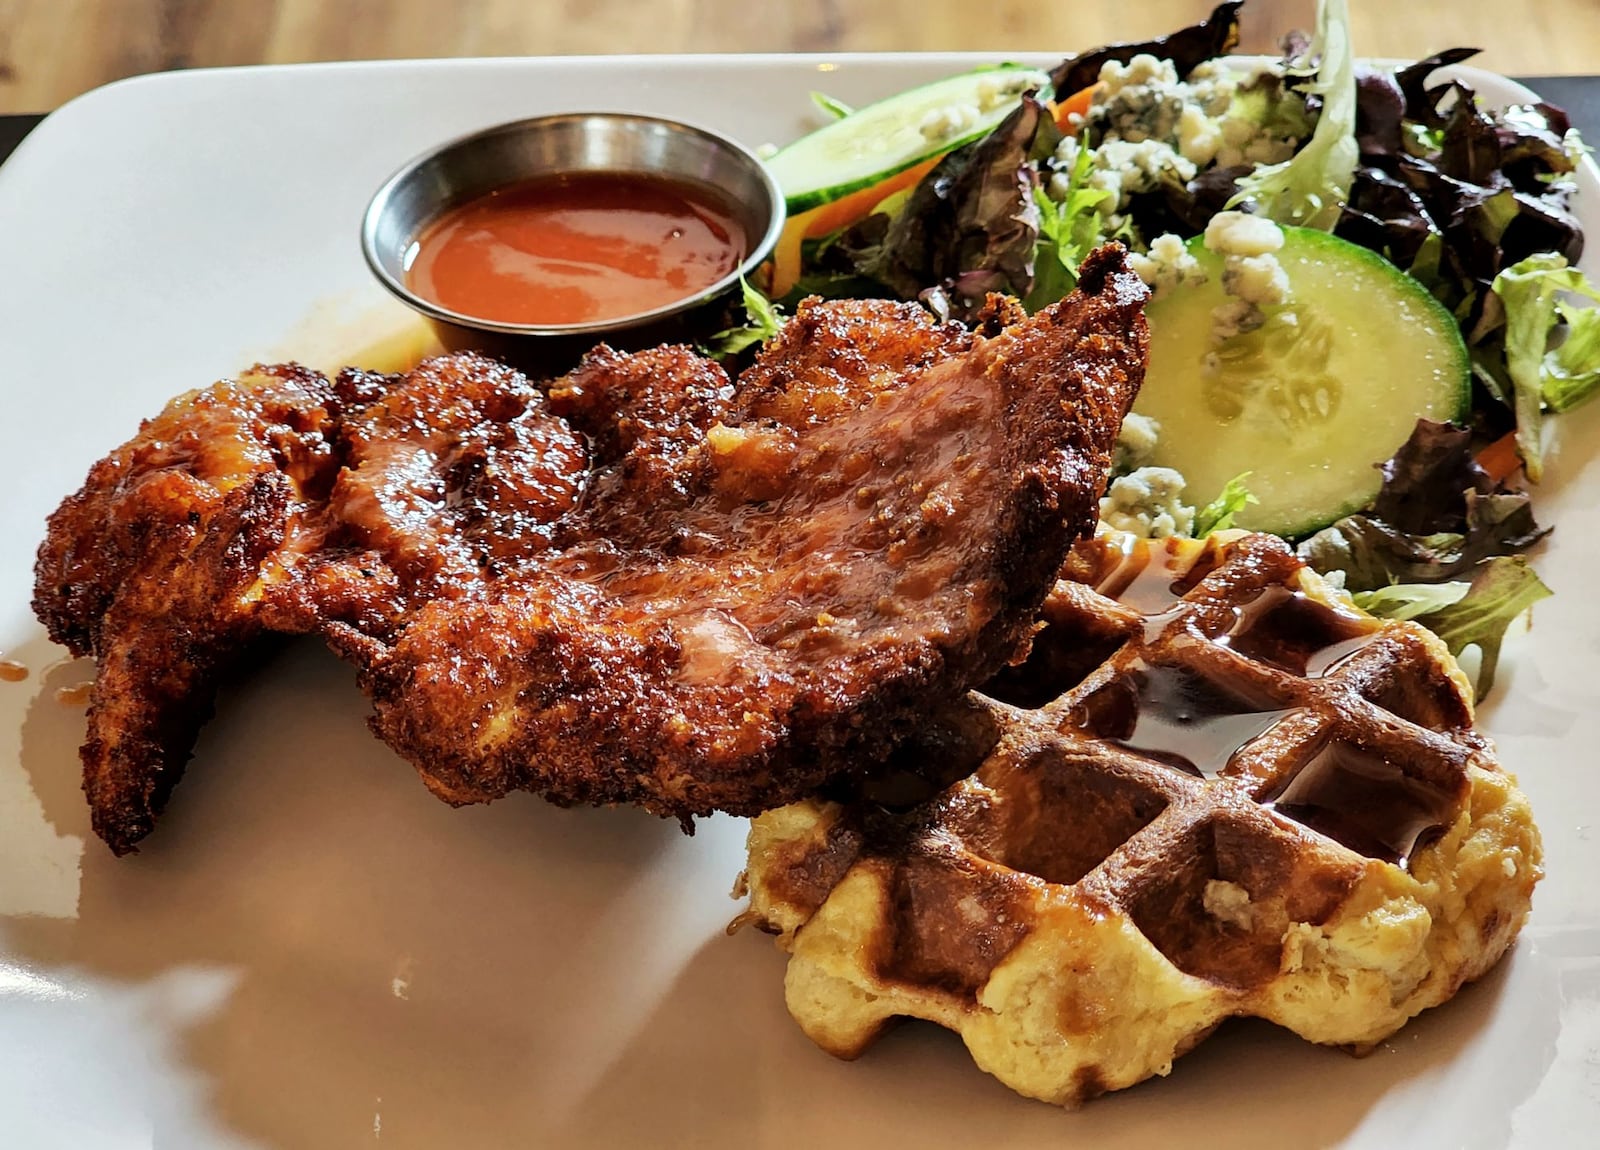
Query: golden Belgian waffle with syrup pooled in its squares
(1212, 789)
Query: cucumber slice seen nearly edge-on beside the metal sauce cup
(881, 140)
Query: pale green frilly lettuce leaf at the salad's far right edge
(1542, 377)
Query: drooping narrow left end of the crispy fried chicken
(156, 569)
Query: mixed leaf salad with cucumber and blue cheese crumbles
(1366, 287)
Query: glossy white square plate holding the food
(313, 952)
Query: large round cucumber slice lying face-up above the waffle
(1311, 402)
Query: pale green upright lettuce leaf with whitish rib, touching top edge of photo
(1311, 188)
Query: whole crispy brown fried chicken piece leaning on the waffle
(655, 586)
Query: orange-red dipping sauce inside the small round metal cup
(577, 249)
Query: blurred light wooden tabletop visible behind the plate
(52, 50)
